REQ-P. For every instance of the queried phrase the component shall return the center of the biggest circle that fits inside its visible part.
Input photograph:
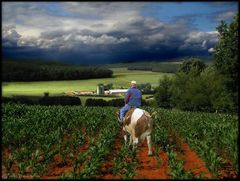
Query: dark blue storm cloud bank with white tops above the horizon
(117, 46)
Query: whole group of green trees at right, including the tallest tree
(200, 87)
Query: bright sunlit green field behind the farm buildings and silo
(121, 78)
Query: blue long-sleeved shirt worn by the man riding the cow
(133, 97)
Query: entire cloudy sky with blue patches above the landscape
(112, 32)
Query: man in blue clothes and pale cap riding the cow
(132, 99)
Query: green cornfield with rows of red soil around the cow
(77, 142)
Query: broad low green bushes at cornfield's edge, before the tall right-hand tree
(205, 92)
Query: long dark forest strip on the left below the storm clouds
(16, 70)
